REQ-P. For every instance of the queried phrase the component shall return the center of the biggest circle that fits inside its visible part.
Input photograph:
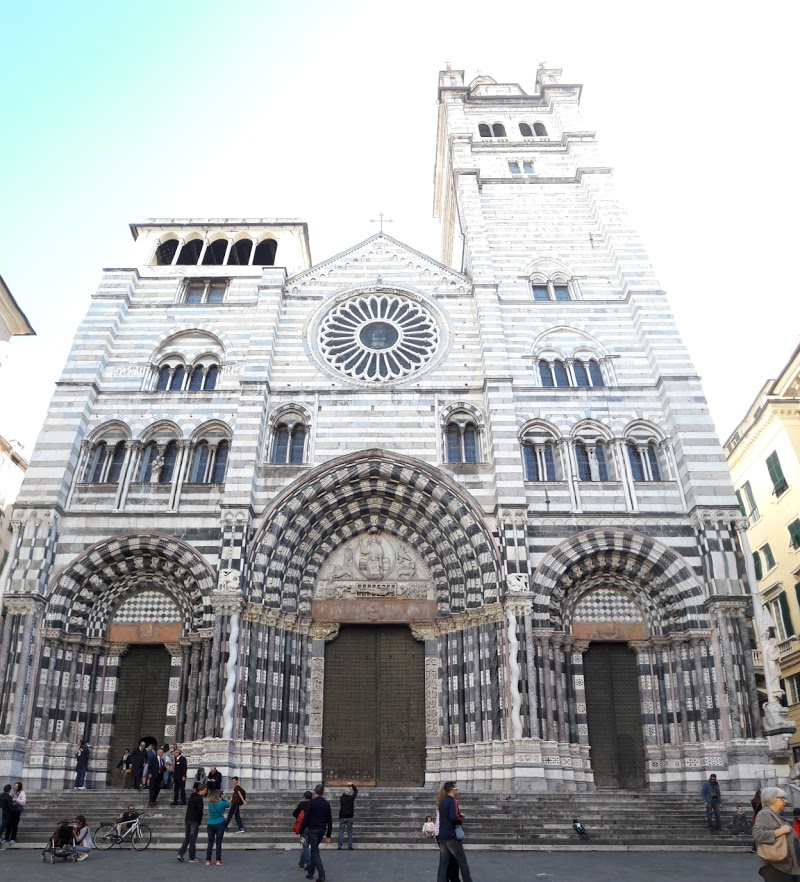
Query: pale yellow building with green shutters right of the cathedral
(764, 458)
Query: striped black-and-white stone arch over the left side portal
(84, 594)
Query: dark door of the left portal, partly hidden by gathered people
(141, 706)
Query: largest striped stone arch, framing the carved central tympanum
(400, 495)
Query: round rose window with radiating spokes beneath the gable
(378, 337)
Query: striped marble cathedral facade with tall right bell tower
(387, 518)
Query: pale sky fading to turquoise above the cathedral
(115, 112)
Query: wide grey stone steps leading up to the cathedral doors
(389, 818)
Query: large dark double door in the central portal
(373, 729)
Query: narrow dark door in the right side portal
(614, 713)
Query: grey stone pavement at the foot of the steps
(390, 866)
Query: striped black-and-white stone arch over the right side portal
(658, 579)
